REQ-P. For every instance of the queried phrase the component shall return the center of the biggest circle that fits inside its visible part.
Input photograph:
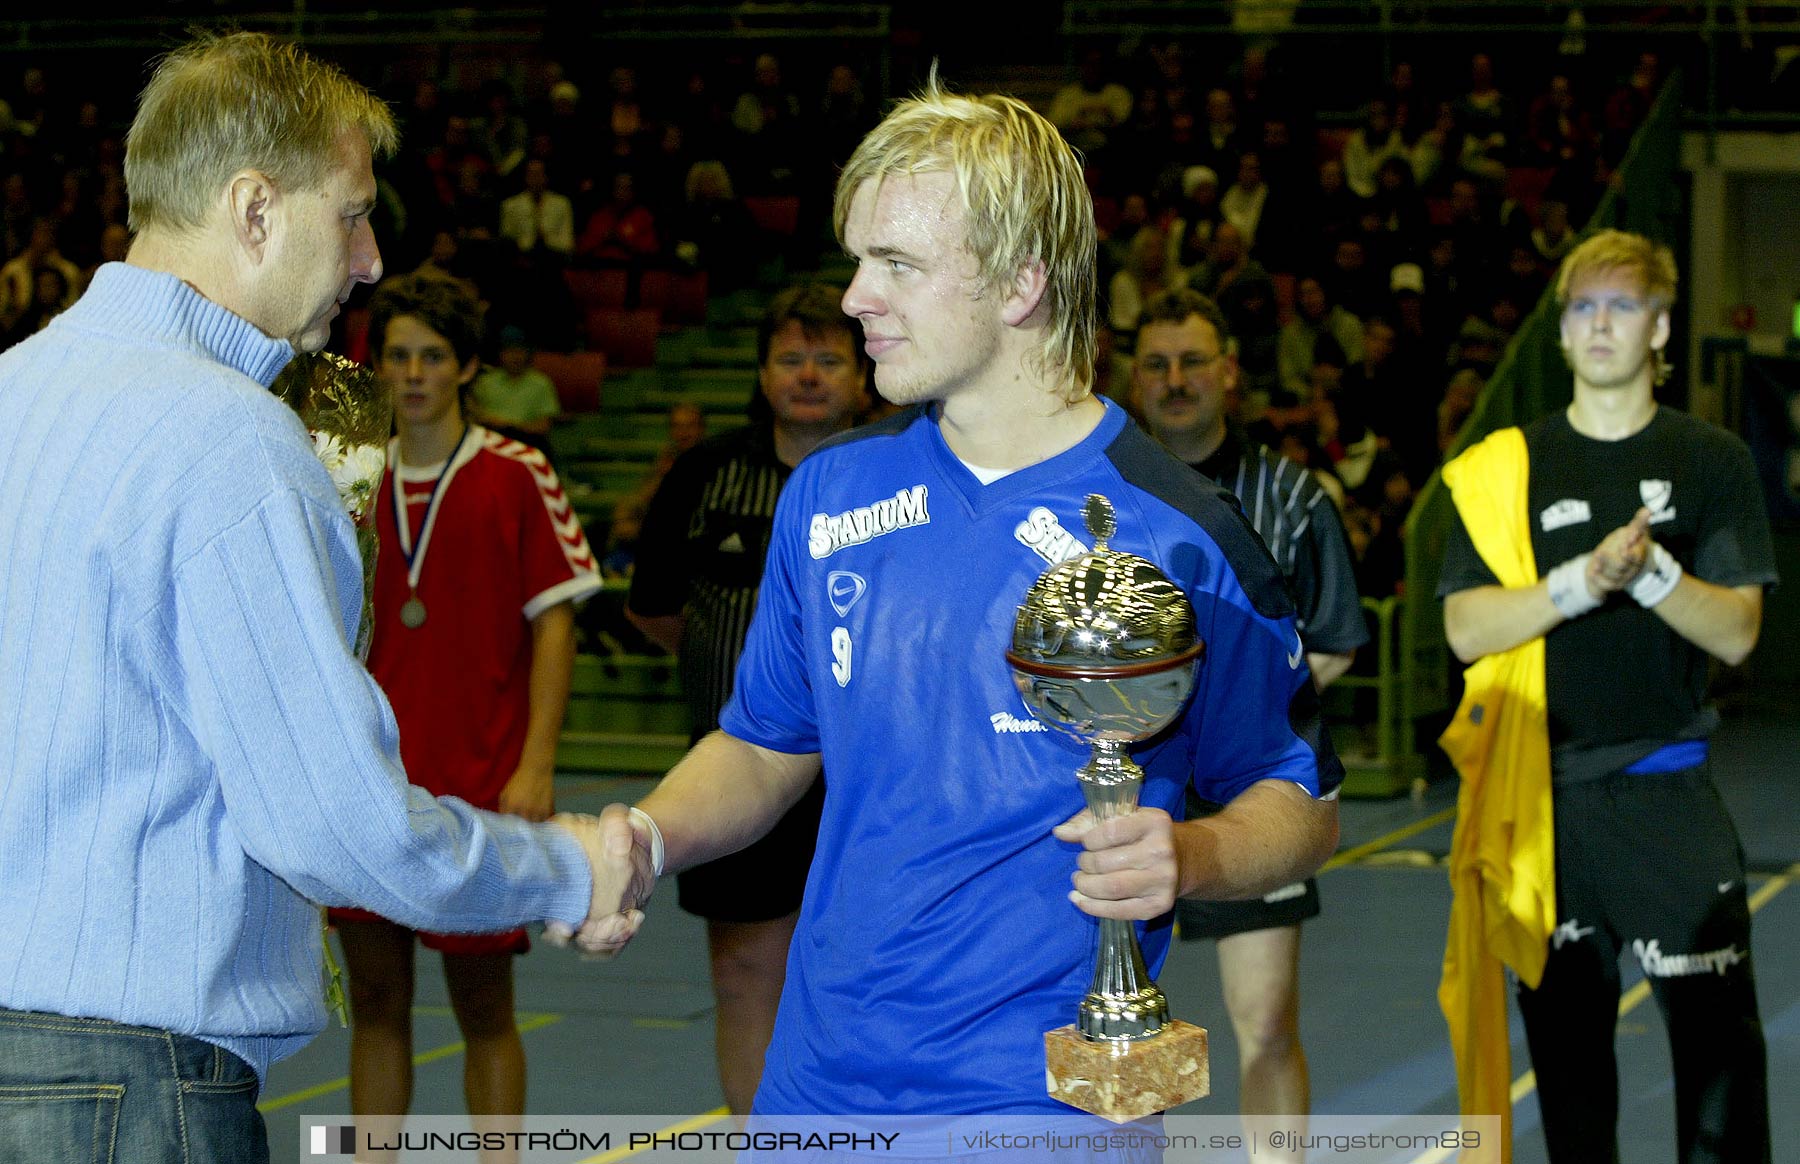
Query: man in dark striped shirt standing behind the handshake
(694, 591)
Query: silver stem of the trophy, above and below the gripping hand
(1124, 1003)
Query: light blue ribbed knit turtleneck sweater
(190, 753)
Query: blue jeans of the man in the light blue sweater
(87, 1089)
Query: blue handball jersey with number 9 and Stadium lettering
(937, 942)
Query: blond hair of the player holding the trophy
(1025, 199)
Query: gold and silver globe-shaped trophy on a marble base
(1106, 650)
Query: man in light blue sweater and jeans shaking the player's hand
(190, 753)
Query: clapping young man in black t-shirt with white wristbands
(1650, 535)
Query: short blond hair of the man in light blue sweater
(226, 103)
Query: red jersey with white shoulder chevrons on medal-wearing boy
(503, 546)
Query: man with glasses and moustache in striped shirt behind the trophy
(1185, 375)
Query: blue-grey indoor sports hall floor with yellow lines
(634, 1035)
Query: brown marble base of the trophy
(1126, 1082)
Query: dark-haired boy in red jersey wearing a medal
(474, 609)
